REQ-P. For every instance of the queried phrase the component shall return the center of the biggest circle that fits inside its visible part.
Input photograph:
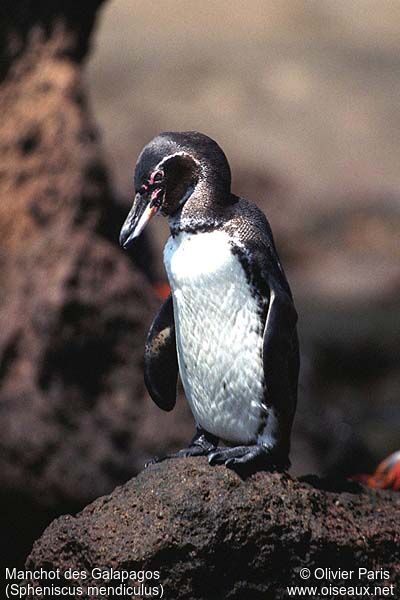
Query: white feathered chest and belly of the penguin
(219, 335)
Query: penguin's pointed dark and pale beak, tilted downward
(142, 211)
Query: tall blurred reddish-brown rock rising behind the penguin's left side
(74, 311)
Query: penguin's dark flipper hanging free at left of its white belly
(160, 358)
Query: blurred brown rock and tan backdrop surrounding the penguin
(303, 97)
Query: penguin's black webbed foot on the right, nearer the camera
(256, 457)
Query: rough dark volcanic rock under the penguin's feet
(214, 536)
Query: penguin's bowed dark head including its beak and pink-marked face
(171, 168)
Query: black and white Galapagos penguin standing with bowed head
(228, 328)
